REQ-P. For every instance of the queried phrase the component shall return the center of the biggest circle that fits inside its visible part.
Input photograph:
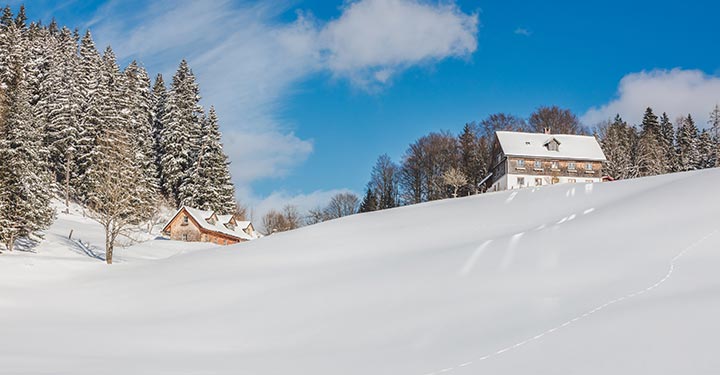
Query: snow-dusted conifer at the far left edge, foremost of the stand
(24, 183)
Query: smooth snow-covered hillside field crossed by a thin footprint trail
(615, 278)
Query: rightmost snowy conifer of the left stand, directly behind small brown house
(209, 185)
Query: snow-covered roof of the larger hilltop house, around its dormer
(572, 147)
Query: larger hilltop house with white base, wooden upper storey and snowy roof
(537, 159)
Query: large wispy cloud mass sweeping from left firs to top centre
(249, 63)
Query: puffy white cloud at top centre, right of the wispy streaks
(376, 38)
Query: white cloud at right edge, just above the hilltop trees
(677, 92)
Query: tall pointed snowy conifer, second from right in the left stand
(181, 133)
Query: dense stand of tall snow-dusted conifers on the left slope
(74, 125)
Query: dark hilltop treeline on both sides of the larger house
(441, 165)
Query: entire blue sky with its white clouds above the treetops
(309, 93)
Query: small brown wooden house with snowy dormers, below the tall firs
(190, 224)
